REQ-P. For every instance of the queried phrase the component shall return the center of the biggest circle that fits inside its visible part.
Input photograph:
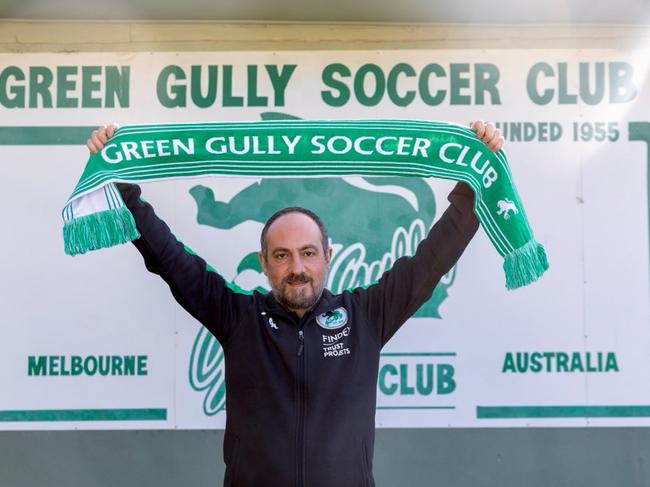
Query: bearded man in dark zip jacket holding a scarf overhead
(298, 414)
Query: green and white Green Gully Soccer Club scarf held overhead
(95, 215)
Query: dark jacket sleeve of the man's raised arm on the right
(410, 283)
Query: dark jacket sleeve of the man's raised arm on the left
(194, 285)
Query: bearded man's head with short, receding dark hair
(295, 262)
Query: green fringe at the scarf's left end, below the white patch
(99, 230)
